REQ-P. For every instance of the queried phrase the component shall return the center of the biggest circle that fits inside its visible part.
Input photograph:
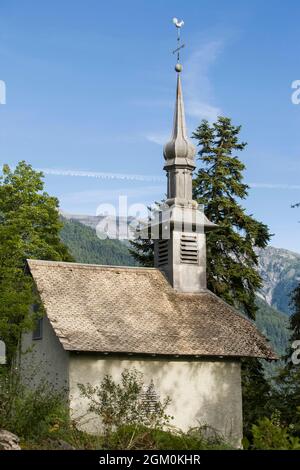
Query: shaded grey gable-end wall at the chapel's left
(45, 359)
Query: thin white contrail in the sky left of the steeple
(102, 175)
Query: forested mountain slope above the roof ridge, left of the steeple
(86, 247)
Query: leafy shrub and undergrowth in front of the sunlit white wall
(134, 418)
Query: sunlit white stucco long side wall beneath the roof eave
(202, 392)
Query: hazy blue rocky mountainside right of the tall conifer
(280, 271)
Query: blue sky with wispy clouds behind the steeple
(90, 87)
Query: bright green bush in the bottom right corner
(269, 434)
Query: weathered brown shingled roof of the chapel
(135, 310)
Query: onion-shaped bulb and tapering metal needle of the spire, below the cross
(179, 150)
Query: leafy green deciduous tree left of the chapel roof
(29, 228)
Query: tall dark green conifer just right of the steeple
(218, 185)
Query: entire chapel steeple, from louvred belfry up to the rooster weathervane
(179, 242)
